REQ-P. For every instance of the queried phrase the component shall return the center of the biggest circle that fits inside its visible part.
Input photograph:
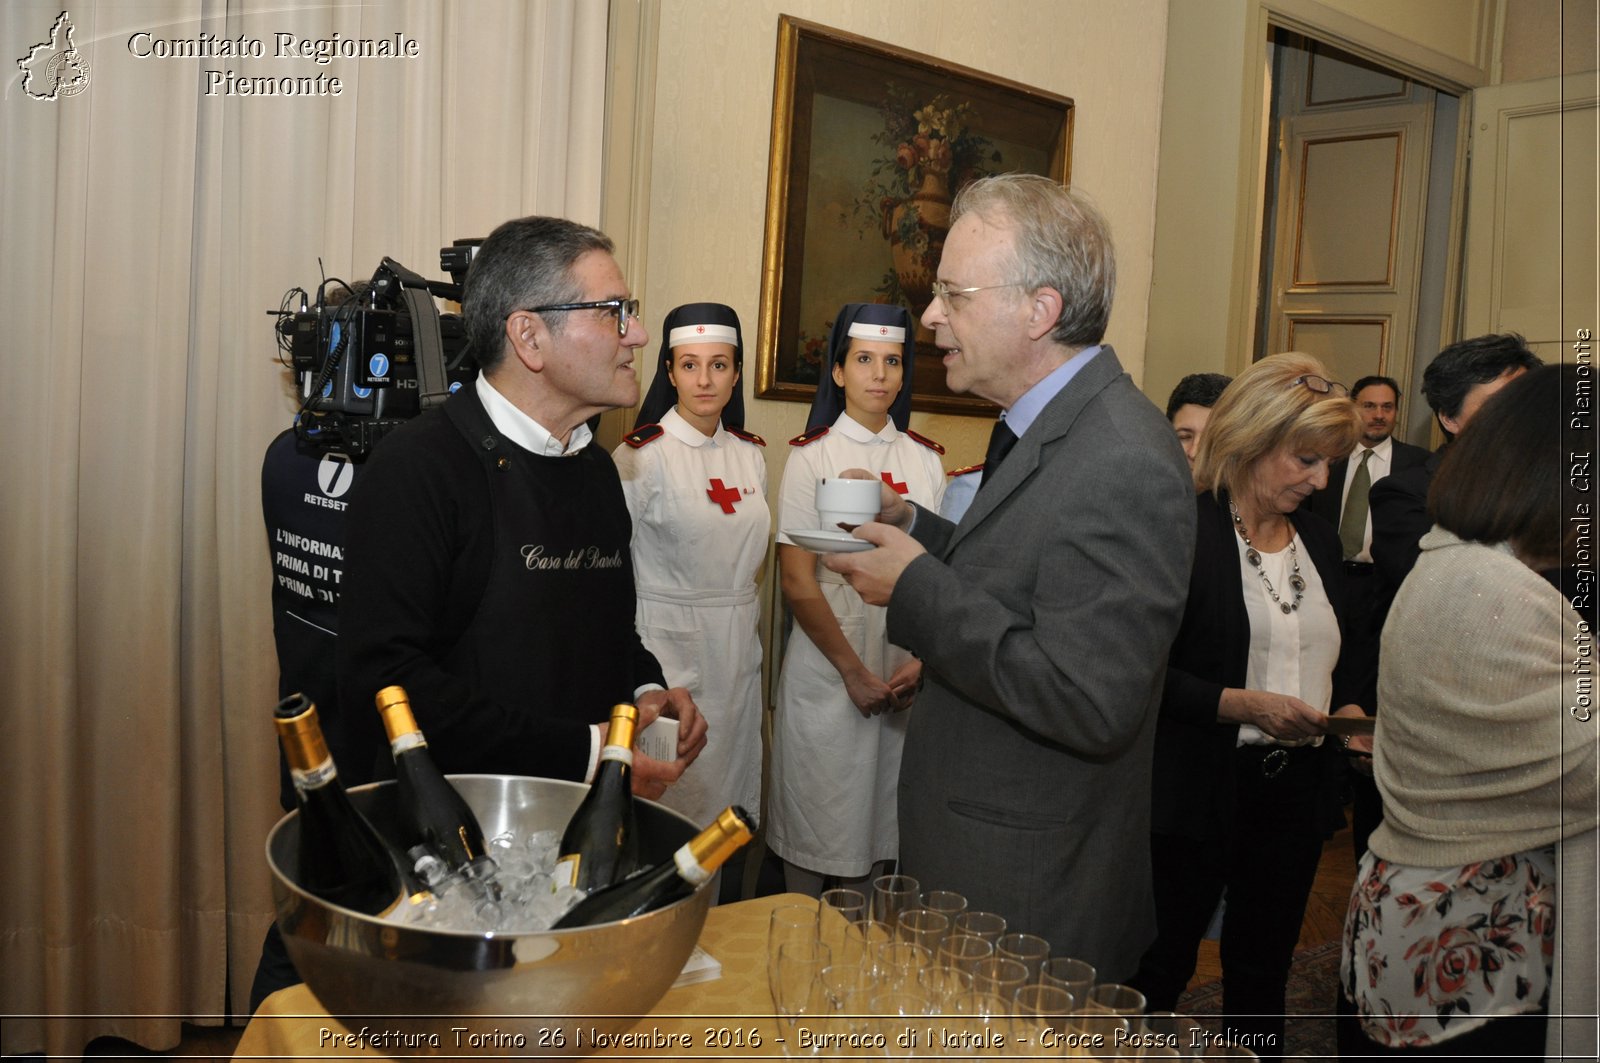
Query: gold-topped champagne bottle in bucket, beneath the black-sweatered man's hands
(601, 844)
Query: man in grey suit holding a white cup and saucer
(1044, 619)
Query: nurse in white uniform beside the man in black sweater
(697, 489)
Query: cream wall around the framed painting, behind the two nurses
(713, 116)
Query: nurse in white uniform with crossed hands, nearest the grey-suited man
(844, 691)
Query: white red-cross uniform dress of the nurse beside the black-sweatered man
(700, 537)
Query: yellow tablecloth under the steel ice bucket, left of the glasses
(729, 1017)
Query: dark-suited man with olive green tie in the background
(1345, 503)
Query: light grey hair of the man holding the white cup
(1060, 243)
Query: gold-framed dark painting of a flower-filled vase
(870, 145)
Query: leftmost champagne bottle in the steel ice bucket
(343, 859)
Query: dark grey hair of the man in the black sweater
(526, 262)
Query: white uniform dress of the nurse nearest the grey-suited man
(833, 803)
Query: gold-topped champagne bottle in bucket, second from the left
(433, 814)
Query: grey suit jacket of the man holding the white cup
(1044, 622)
